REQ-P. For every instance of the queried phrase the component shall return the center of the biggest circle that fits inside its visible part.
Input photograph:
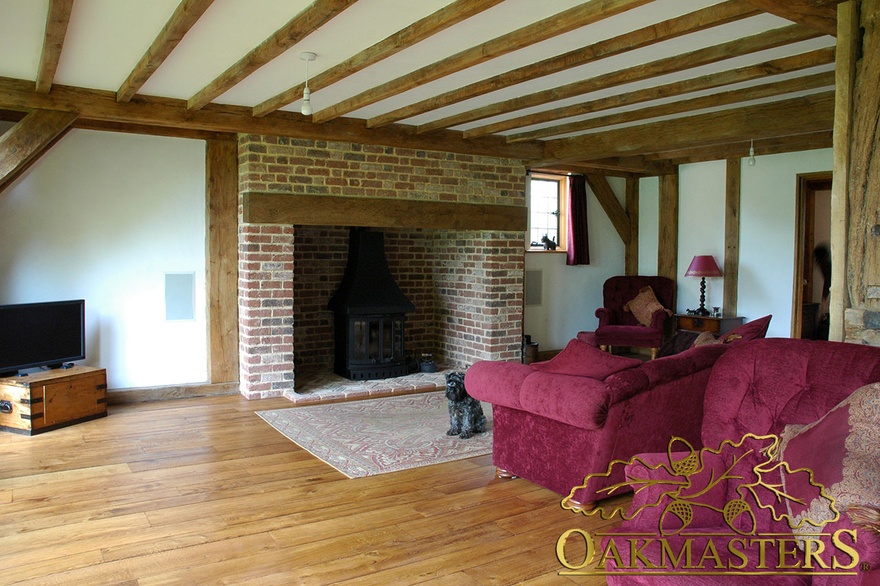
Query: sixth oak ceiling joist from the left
(717, 15)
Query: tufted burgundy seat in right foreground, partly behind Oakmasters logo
(813, 394)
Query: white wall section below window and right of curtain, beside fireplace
(572, 294)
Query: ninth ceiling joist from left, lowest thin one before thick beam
(766, 90)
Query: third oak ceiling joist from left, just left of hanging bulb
(306, 22)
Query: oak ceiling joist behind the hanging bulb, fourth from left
(430, 25)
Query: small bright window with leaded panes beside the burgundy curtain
(547, 210)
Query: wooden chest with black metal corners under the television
(44, 401)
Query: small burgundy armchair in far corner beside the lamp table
(618, 327)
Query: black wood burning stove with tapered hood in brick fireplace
(369, 313)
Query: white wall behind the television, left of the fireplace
(103, 216)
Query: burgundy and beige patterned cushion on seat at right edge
(842, 449)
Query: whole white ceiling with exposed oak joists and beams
(621, 85)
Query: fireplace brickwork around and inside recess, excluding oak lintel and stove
(466, 284)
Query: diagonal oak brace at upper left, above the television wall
(28, 140)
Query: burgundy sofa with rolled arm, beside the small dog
(555, 422)
